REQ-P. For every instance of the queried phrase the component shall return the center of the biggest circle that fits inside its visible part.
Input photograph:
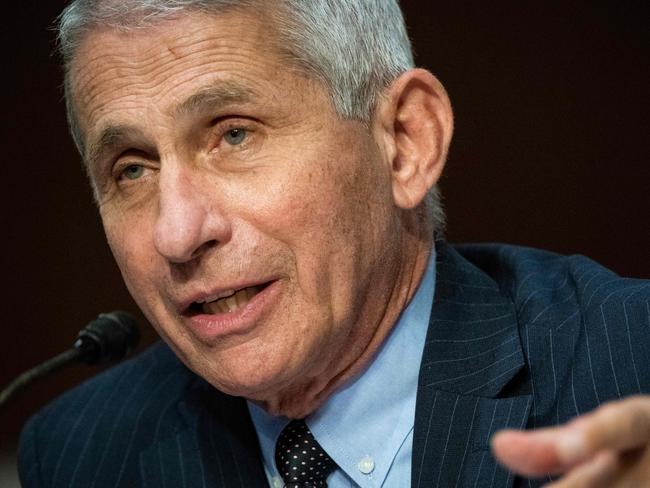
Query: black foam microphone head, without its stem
(110, 337)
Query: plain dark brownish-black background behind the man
(551, 150)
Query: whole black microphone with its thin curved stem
(110, 337)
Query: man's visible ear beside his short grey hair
(415, 121)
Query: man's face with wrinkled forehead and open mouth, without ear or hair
(255, 229)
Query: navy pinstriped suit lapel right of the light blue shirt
(471, 353)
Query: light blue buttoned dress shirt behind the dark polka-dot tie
(366, 427)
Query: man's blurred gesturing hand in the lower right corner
(609, 448)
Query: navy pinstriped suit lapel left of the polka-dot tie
(215, 445)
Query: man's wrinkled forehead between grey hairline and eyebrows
(114, 69)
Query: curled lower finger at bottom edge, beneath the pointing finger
(600, 472)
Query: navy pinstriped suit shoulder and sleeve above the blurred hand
(584, 330)
